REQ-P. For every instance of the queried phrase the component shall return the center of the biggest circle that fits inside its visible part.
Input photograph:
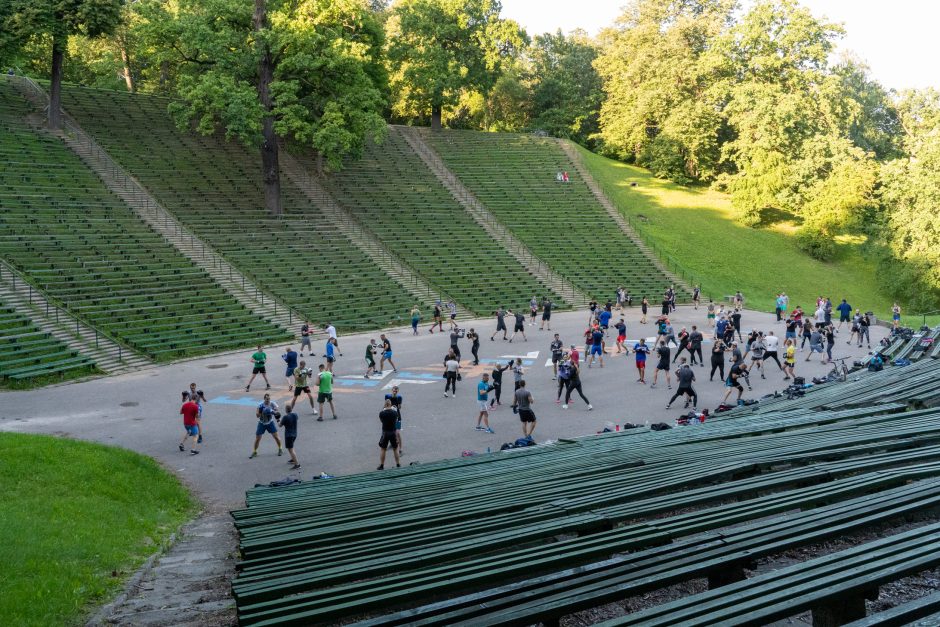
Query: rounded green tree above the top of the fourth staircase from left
(438, 49)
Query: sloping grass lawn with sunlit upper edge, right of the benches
(695, 226)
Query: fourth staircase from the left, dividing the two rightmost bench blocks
(478, 211)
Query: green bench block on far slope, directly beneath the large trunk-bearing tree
(214, 188)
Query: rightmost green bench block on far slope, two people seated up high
(562, 223)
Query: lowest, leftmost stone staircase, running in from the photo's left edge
(29, 301)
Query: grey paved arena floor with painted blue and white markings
(140, 410)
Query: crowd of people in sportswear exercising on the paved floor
(734, 355)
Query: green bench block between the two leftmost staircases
(85, 248)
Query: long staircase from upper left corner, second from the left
(128, 189)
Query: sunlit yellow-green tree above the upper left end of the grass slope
(659, 76)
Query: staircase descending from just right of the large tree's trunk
(362, 237)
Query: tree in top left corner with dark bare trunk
(58, 19)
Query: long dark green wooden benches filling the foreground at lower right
(649, 509)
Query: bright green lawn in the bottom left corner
(77, 519)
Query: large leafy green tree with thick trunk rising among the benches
(304, 70)
